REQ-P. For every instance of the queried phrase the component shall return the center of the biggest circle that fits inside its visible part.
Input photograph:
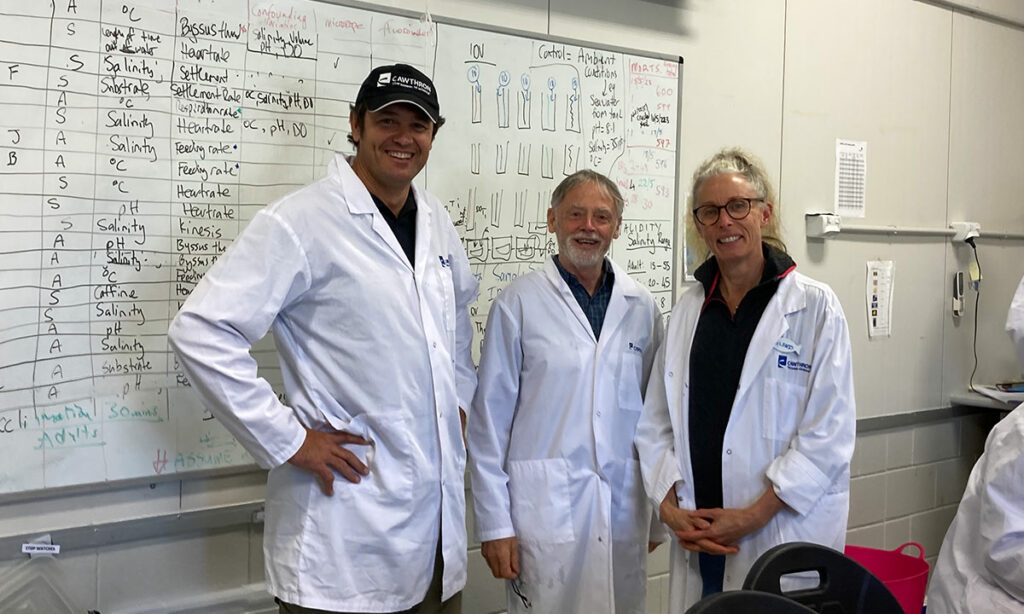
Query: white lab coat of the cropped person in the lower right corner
(980, 568)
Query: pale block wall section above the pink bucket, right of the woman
(908, 481)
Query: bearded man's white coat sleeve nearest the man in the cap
(490, 426)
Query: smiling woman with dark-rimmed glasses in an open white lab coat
(748, 427)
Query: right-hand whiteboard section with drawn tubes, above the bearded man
(539, 111)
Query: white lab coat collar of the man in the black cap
(359, 201)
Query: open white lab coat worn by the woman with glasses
(792, 427)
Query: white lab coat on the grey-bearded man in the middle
(551, 443)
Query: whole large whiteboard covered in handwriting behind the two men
(139, 138)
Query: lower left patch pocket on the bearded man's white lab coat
(539, 492)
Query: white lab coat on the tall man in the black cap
(367, 345)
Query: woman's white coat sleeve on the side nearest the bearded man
(655, 438)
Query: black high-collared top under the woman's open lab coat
(717, 356)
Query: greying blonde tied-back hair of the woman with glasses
(740, 162)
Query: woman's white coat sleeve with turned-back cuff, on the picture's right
(823, 449)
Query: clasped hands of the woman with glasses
(716, 532)
